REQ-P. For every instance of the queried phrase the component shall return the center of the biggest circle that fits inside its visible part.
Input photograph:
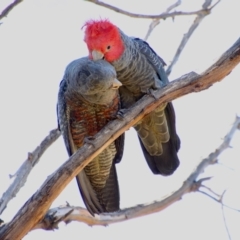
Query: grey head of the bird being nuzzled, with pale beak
(95, 81)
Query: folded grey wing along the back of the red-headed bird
(156, 61)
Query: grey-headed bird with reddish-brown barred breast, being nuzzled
(88, 99)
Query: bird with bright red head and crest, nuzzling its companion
(141, 71)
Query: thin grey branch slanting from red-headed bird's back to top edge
(191, 30)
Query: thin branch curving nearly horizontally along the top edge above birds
(159, 16)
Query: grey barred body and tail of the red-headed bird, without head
(140, 69)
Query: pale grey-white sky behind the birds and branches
(39, 38)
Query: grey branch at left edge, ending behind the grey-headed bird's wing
(23, 172)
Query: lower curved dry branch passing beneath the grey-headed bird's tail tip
(70, 213)
